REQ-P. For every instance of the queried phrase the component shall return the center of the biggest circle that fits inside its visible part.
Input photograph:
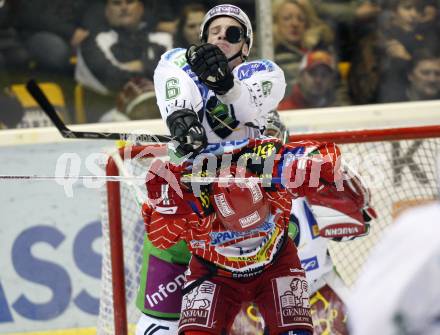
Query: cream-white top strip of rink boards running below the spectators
(298, 121)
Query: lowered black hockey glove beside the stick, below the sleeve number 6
(189, 132)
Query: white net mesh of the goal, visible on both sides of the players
(399, 173)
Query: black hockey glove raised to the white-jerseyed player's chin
(210, 64)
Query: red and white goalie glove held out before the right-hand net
(343, 212)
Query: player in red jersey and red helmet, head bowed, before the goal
(237, 233)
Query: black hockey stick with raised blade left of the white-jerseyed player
(36, 92)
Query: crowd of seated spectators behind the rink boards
(103, 52)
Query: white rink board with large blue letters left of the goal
(50, 242)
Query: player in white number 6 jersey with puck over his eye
(208, 93)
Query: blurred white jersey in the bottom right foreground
(398, 291)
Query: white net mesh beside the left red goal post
(133, 230)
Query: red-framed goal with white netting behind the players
(398, 165)
